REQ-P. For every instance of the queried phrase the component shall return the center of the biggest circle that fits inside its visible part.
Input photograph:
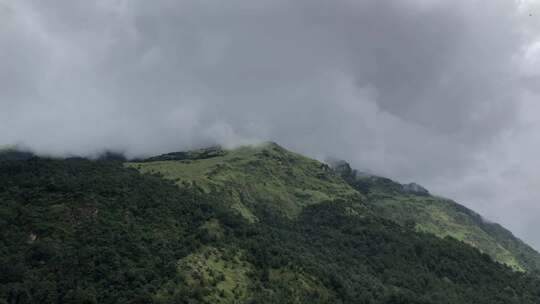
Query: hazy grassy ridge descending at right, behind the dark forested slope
(413, 205)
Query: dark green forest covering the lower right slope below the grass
(369, 260)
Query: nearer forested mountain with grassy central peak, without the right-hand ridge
(257, 224)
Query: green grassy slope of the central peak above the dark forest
(286, 182)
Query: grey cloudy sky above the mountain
(443, 93)
